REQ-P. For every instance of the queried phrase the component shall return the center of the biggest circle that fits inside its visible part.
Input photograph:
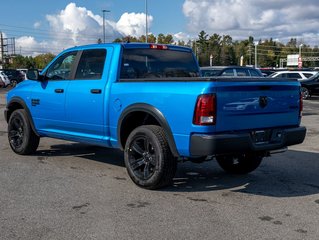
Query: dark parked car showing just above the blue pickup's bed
(230, 71)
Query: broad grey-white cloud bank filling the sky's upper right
(258, 18)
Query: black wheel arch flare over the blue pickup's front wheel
(18, 103)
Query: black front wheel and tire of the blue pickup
(22, 138)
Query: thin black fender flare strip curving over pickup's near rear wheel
(154, 112)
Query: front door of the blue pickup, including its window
(48, 95)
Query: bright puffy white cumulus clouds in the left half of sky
(76, 25)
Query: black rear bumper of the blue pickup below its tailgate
(205, 145)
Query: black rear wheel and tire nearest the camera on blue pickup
(148, 158)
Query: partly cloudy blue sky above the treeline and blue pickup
(41, 26)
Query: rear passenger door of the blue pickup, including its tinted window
(87, 96)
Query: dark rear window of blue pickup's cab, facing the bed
(154, 63)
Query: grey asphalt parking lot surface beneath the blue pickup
(75, 191)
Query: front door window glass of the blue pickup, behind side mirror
(61, 69)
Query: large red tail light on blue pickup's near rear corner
(205, 110)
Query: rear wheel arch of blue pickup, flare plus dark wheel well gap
(143, 114)
